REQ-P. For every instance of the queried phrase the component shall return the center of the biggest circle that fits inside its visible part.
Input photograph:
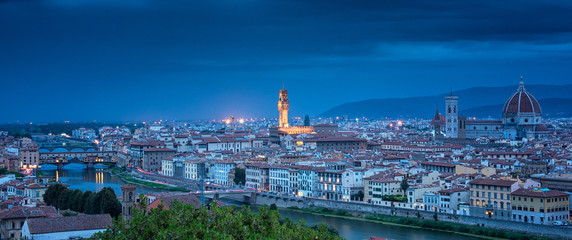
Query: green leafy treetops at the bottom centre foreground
(183, 221)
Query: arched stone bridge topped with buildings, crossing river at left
(90, 158)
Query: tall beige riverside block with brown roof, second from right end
(491, 198)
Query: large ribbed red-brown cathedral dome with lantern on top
(521, 102)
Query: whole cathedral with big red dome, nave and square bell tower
(521, 118)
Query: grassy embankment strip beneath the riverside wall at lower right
(467, 230)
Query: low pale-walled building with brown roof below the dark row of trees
(73, 227)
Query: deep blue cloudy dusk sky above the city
(141, 60)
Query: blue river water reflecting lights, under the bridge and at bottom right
(96, 179)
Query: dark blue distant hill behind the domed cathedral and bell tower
(555, 100)
